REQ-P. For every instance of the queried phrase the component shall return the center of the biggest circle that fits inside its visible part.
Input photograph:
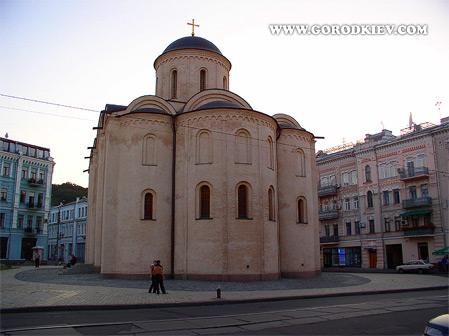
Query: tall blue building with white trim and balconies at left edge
(26, 175)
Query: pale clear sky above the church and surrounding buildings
(89, 53)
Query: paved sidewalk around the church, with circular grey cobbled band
(43, 290)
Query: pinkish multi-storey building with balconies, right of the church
(384, 201)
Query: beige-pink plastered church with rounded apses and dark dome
(195, 177)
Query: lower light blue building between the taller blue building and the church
(67, 230)
